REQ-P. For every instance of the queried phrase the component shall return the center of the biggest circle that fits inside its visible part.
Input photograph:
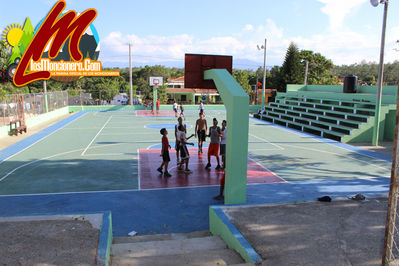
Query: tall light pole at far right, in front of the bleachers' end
(376, 128)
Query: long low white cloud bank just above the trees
(342, 47)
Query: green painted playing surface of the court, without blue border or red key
(99, 151)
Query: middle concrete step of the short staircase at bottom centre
(167, 247)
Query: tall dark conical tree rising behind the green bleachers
(292, 68)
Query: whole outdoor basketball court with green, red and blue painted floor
(108, 161)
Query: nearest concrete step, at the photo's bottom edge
(198, 258)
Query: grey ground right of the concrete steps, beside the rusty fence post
(342, 232)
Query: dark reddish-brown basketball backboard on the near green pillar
(196, 64)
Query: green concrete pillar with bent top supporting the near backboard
(236, 102)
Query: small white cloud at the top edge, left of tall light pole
(337, 10)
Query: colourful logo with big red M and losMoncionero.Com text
(64, 46)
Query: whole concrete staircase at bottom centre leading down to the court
(197, 248)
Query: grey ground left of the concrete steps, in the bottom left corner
(59, 242)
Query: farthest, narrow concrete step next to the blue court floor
(146, 238)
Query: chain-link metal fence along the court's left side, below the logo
(33, 104)
